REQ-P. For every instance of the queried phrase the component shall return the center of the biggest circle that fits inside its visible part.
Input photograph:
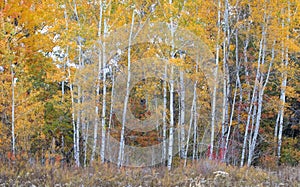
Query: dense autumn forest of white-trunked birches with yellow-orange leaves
(150, 83)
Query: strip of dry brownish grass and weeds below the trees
(204, 173)
